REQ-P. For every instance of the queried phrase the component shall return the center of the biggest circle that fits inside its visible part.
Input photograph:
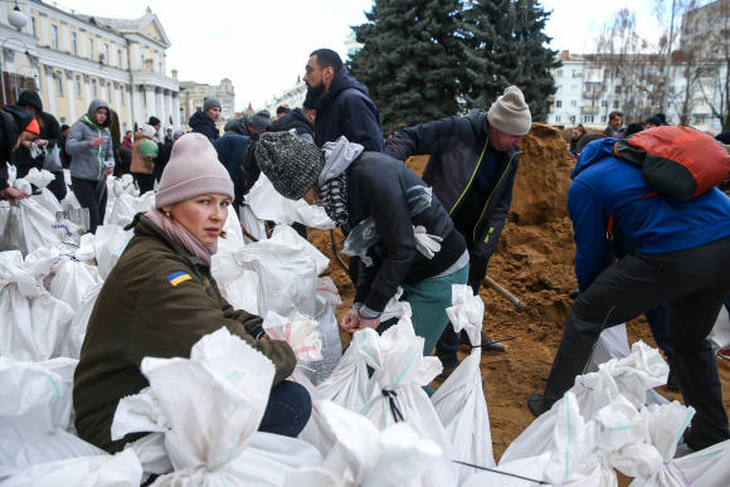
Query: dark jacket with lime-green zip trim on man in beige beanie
(457, 146)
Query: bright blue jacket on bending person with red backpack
(604, 185)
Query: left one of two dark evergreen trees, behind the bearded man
(410, 60)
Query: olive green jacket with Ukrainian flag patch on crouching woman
(157, 301)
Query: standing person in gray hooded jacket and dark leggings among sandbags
(92, 159)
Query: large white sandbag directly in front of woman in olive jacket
(230, 383)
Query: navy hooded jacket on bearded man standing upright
(347, 110)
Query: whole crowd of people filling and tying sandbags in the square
(667, 258)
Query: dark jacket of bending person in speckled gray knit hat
(377, 188)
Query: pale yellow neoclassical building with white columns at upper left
(73, 58)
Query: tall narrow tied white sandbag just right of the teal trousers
(460, 401)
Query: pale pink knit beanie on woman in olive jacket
(193, 170)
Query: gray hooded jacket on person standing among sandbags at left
(89, 162)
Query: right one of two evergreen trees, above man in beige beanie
(505, 44)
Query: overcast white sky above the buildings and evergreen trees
(262, 46)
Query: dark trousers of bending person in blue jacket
(694, 283)
